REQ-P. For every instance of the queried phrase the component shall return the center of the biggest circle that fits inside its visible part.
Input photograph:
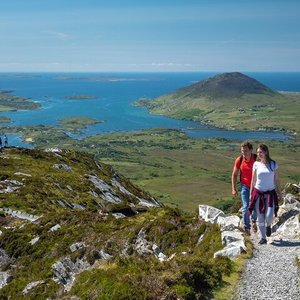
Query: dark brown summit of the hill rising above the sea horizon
(228, 85)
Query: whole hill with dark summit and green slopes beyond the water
(231, 100)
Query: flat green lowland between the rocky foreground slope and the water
(176, 169)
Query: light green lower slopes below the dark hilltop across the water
(246, 113)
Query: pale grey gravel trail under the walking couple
(272, 273)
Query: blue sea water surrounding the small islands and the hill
(113, 96)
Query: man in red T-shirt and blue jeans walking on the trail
(243, 165)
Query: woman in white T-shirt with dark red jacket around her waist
(264, 191)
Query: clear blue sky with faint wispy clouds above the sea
(154, 35)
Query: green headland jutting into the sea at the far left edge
(10, 102)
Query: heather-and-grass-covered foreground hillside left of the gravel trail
(52, 192)
